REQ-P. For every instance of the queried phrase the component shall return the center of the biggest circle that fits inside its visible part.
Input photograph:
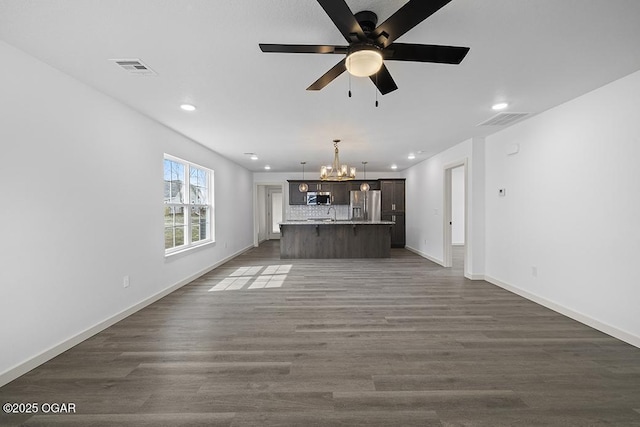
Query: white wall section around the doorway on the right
(425, 205)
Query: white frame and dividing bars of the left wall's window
(187, 205)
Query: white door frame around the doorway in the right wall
(447, 257)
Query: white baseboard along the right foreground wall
(622, 335)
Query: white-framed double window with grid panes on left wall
(187, 205)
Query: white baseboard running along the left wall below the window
(24, 367)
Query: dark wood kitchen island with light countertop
(335, 239)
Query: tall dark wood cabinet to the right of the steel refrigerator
(392, 196)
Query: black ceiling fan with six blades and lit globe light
(370, 46)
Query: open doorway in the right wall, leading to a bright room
(455, 215)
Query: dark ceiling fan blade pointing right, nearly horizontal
(425, 53)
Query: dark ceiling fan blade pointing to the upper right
(407, 17)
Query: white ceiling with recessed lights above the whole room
(534, 54)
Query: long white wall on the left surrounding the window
(82, 190)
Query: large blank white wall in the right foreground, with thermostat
(572, 208)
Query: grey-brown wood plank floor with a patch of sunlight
(392, 342)
